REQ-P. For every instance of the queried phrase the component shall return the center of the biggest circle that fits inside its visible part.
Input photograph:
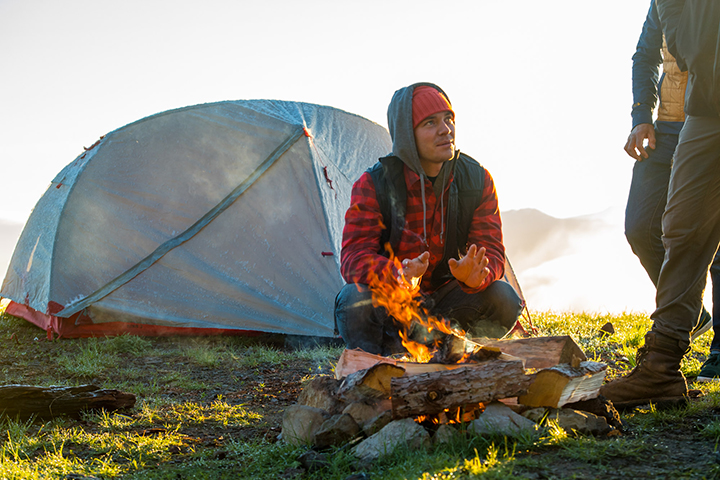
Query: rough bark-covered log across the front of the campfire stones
(432, 392)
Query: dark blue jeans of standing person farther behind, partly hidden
(643, 218)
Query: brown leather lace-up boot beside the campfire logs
(657, 377)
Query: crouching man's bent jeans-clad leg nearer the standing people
(490, 313)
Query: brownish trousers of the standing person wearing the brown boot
(691, 230)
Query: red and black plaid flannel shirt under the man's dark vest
(363, 226)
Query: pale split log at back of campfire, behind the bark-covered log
(540, 352)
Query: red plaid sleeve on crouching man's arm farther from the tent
(486, 231)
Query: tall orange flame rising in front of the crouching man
(402, 299)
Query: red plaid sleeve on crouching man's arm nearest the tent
(359, 258)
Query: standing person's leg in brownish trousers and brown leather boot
(691, 233)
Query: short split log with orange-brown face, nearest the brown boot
(562, 384)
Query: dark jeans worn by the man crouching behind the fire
(490, 313)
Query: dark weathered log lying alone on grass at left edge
(26, 401)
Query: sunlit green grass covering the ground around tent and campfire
(211, 408)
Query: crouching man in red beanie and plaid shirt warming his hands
(436, 210)
